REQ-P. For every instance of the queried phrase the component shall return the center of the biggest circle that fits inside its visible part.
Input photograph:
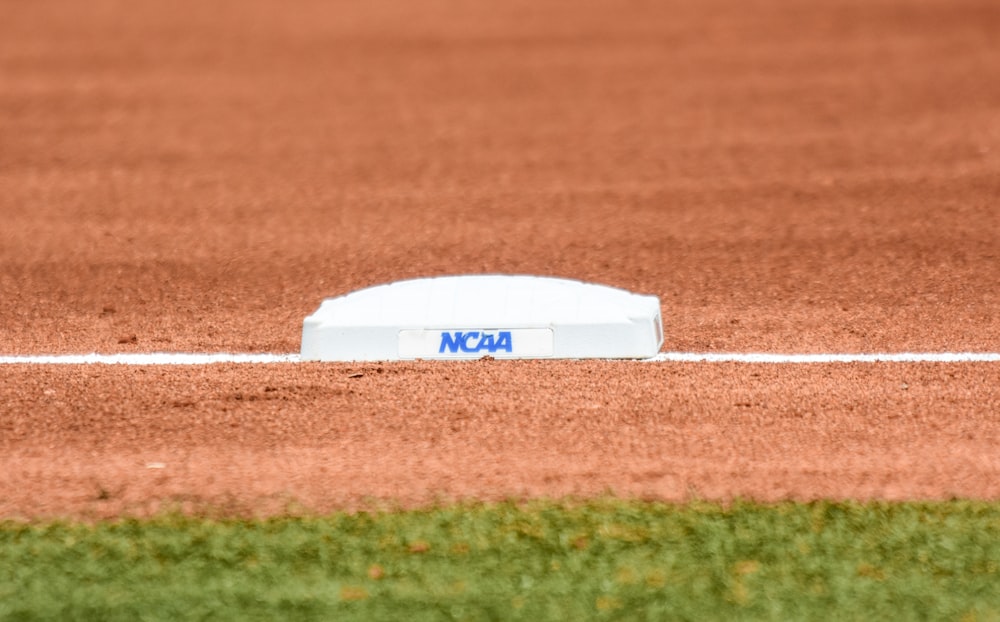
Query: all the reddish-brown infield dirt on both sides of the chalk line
(786, 176)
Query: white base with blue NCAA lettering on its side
(469, 317)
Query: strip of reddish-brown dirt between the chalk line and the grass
(100, 442)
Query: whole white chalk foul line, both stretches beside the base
(181, 358)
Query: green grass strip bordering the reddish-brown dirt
(606, 559)
